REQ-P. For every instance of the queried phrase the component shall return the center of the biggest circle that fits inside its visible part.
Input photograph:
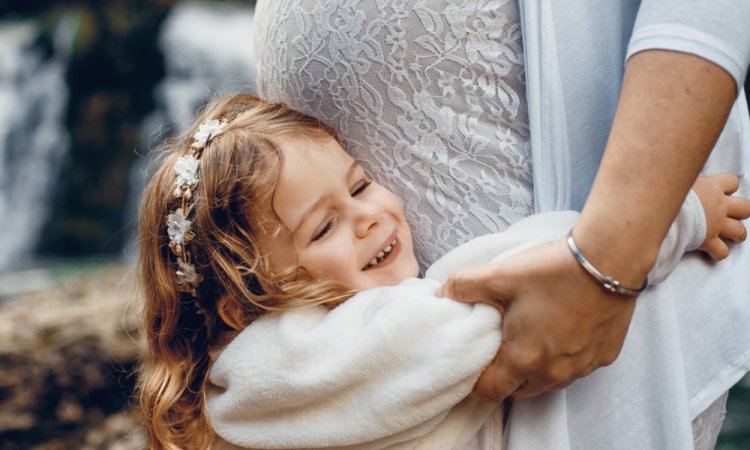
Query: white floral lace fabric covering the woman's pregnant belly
(430, 95)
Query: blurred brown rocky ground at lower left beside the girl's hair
(67, 357)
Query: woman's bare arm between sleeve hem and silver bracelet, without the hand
(672, 108)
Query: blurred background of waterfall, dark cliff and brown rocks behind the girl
(87, 89)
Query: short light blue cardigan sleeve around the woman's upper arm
(716, 30)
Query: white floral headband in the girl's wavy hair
(179, 227)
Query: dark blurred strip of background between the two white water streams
(111, 79)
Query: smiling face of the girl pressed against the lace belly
(344, 227)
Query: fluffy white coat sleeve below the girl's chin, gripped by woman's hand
(384, 367)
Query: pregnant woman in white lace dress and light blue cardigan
(478, 114)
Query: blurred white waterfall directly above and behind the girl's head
(208, 52)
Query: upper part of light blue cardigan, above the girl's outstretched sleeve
(573, 83)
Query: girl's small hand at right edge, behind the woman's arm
(723, 213)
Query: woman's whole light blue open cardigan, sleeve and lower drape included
(685, 350)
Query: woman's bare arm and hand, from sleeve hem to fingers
(558, 322)
